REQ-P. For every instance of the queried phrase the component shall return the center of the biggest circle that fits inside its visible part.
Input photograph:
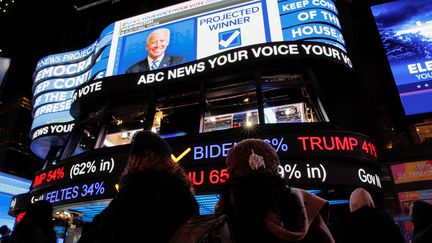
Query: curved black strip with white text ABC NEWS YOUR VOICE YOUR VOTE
(98, 89)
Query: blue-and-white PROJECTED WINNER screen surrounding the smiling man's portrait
(200, 29)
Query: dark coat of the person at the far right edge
(422, 220)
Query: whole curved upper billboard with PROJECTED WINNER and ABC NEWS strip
(186, 33)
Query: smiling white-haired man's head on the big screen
(157, 42)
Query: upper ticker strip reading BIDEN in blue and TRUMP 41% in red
(329, 144)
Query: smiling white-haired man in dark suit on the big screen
(156, 44)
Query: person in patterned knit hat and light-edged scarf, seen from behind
(261, 206)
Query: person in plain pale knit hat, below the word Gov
(368, 223)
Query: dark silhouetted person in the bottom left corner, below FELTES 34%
(36, 226)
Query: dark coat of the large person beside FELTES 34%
(150, 206)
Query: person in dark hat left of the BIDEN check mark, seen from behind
(154, 199)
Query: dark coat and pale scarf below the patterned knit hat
(264, 209)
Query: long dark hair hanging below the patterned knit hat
(248, 200)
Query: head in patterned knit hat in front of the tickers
(252, 156)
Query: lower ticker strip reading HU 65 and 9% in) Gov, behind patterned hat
(299, 173)
